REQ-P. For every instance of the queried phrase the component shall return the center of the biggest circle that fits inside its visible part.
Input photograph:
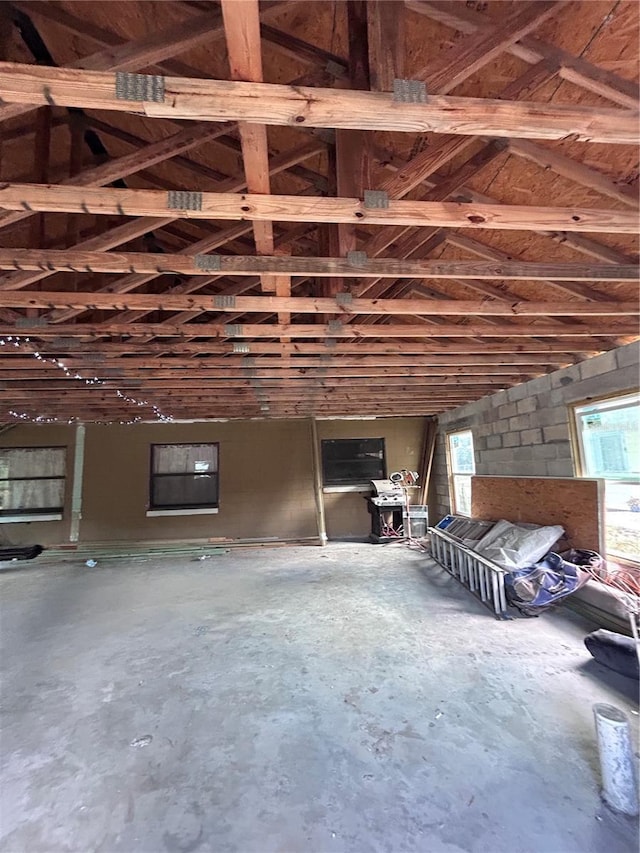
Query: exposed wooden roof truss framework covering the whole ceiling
(277, 229)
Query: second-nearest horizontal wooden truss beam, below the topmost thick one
(245, 206)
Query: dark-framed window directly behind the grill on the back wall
(352, 461)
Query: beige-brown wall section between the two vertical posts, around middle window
(266, 481)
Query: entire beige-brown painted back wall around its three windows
(266, 479)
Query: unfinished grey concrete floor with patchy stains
(352, 698)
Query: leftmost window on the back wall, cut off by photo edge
(32, 483)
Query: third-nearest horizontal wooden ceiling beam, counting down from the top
(500, 266)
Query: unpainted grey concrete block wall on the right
(524, 431)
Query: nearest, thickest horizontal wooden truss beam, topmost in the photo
(276, 104)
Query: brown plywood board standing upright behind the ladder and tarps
(576, 504)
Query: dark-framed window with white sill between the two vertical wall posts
(184, 479)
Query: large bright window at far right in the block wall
(608, 445)
